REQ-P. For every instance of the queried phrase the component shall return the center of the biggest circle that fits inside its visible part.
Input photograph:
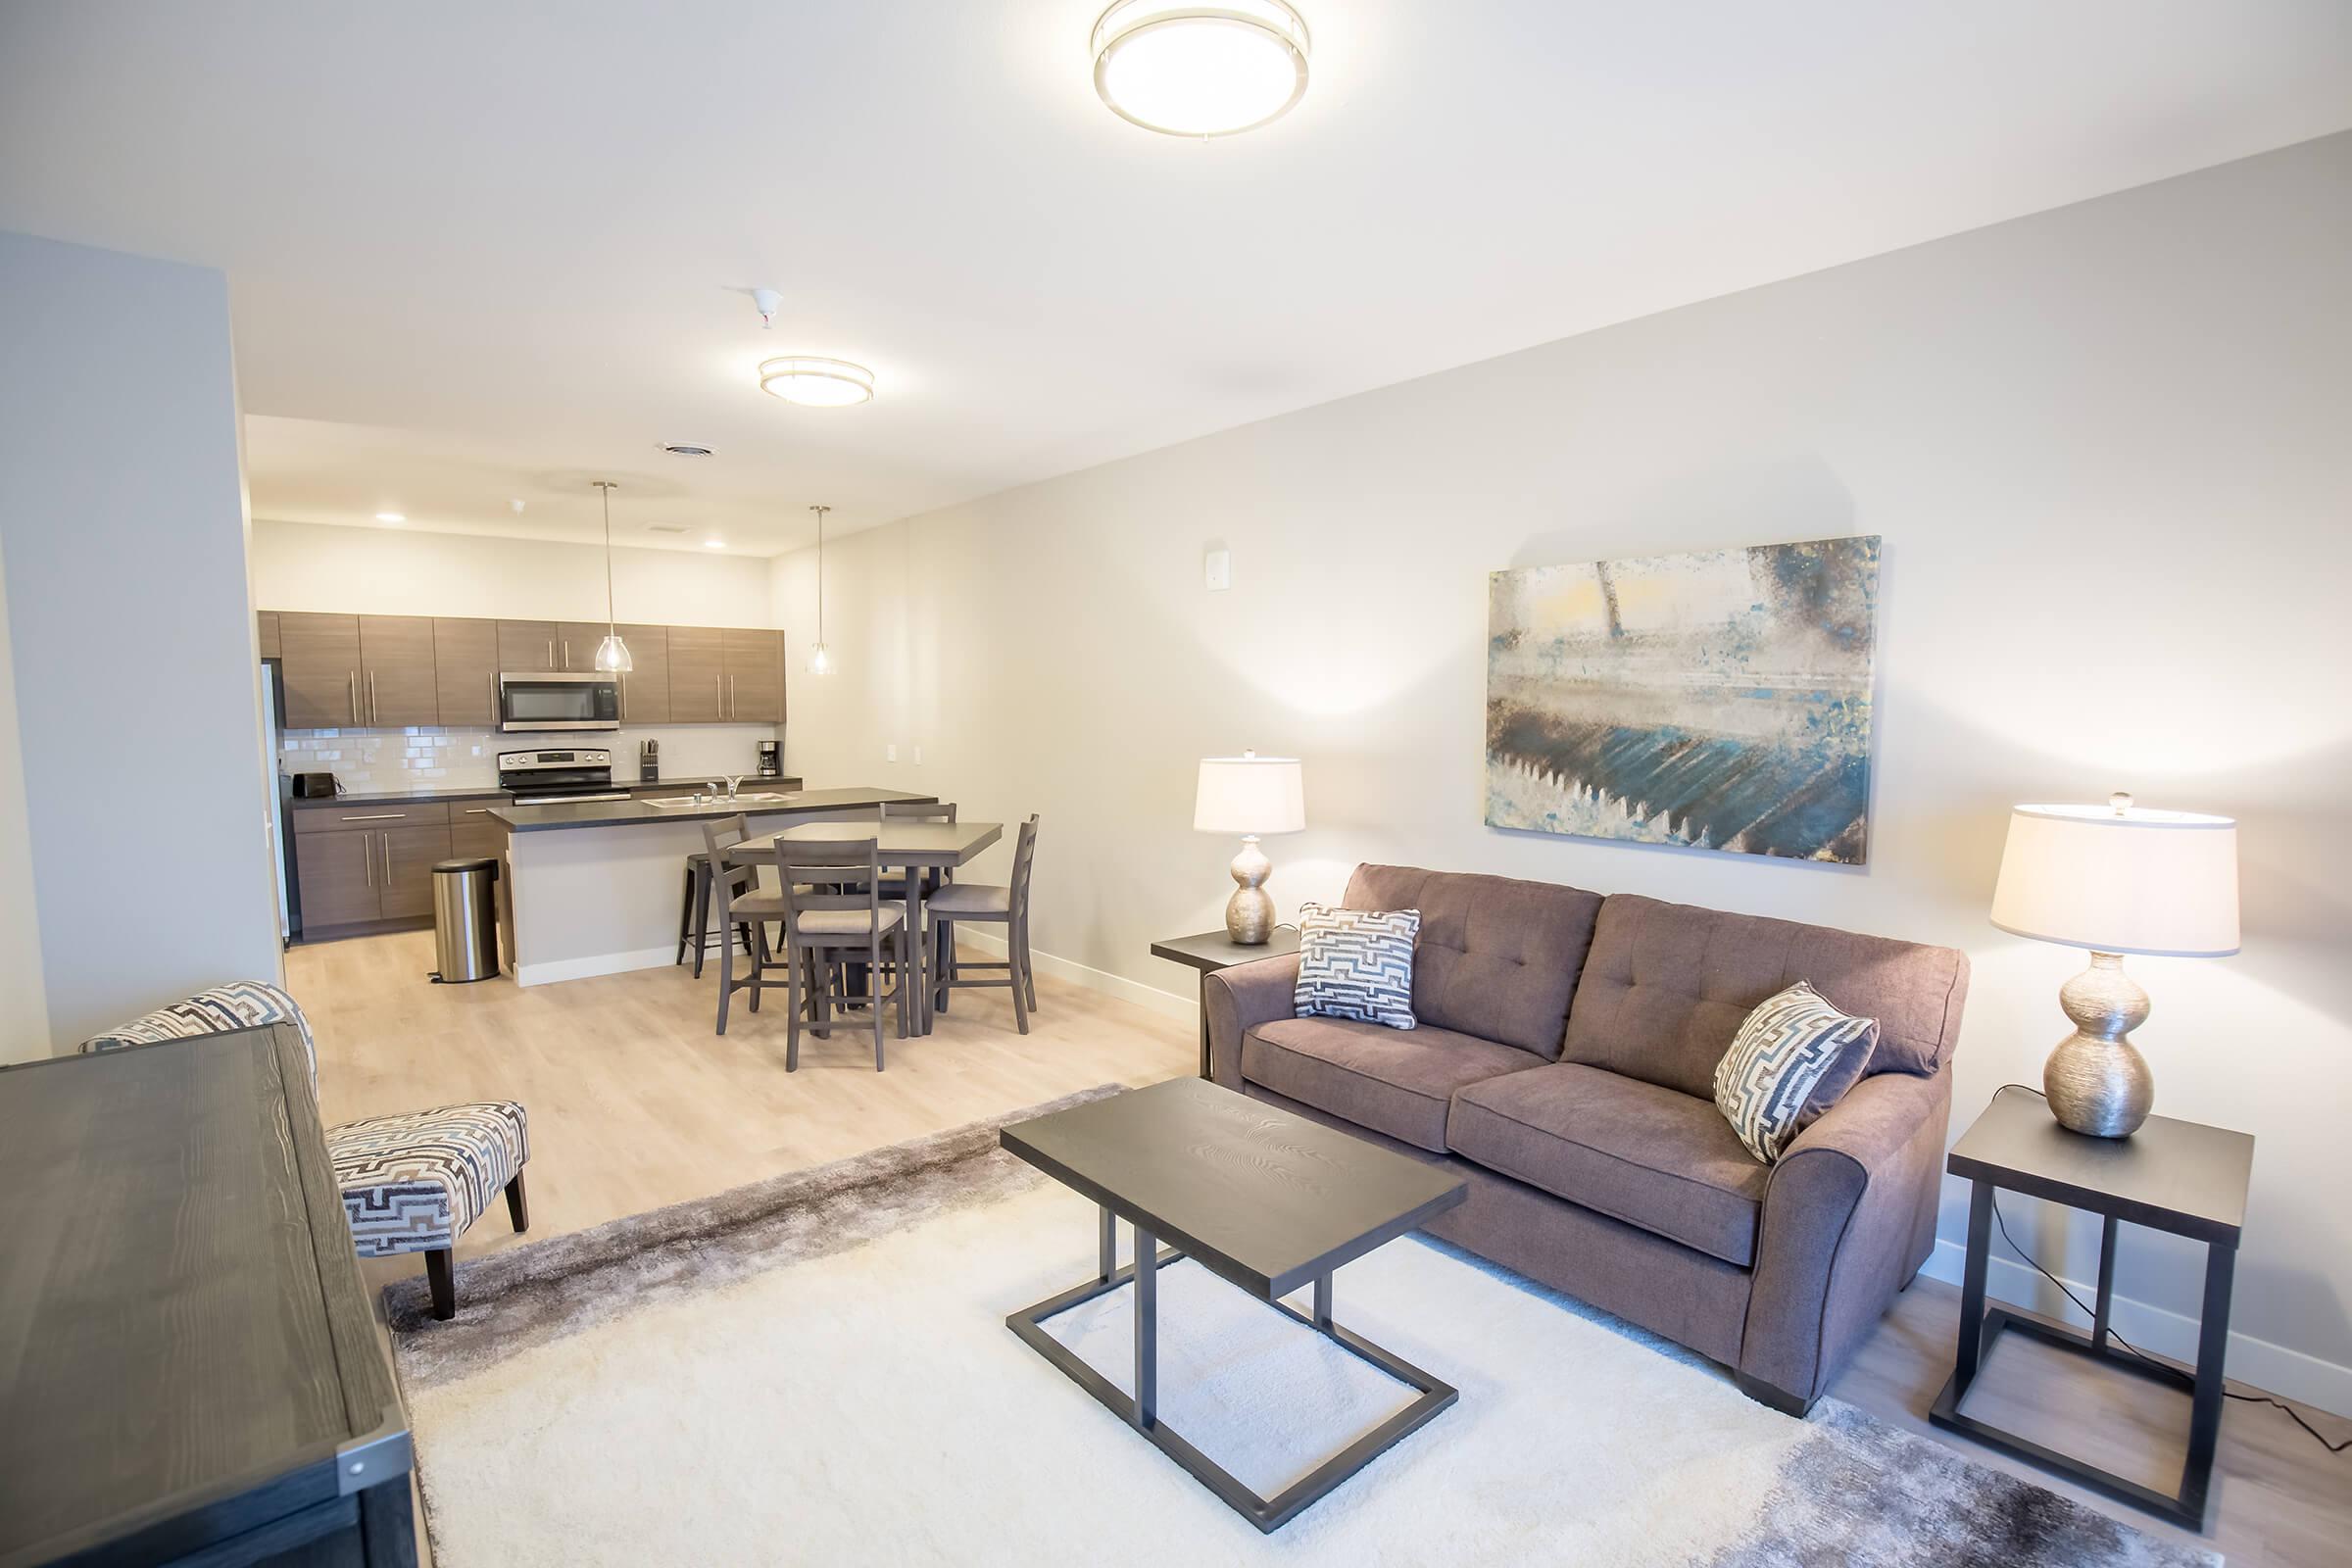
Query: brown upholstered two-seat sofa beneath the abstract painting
(1565, 1066)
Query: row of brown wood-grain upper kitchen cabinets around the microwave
(401, 671)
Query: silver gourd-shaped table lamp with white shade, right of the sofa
(2116, 880)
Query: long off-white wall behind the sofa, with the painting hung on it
(2111, 455)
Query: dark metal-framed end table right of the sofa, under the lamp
(2177, 1177)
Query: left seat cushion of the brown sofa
(1372, 1076)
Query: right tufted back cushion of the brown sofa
(1669, 989)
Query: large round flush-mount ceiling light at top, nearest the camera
(1201, 69)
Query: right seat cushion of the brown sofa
(1638, 1153)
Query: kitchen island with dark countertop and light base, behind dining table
(594, 887)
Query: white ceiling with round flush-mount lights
(481, 255)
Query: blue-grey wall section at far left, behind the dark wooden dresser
(123, 528)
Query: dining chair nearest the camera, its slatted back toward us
(834, 913)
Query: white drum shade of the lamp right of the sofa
(2134, 880)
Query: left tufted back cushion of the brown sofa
(1497, 958)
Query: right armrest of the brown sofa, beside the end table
(1847, 1221)
